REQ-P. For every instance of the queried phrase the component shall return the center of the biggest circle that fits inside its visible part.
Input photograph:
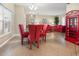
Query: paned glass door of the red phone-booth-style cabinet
(72, 27)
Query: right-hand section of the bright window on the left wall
(7, 21)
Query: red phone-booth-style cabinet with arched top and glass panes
(72, 26)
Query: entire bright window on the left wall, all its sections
(5, 20)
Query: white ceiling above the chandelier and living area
(47, 8)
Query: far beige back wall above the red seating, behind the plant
(49, 19)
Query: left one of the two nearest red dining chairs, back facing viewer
(32, 35)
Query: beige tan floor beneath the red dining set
(54, 46)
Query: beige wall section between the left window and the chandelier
(20, 17)
